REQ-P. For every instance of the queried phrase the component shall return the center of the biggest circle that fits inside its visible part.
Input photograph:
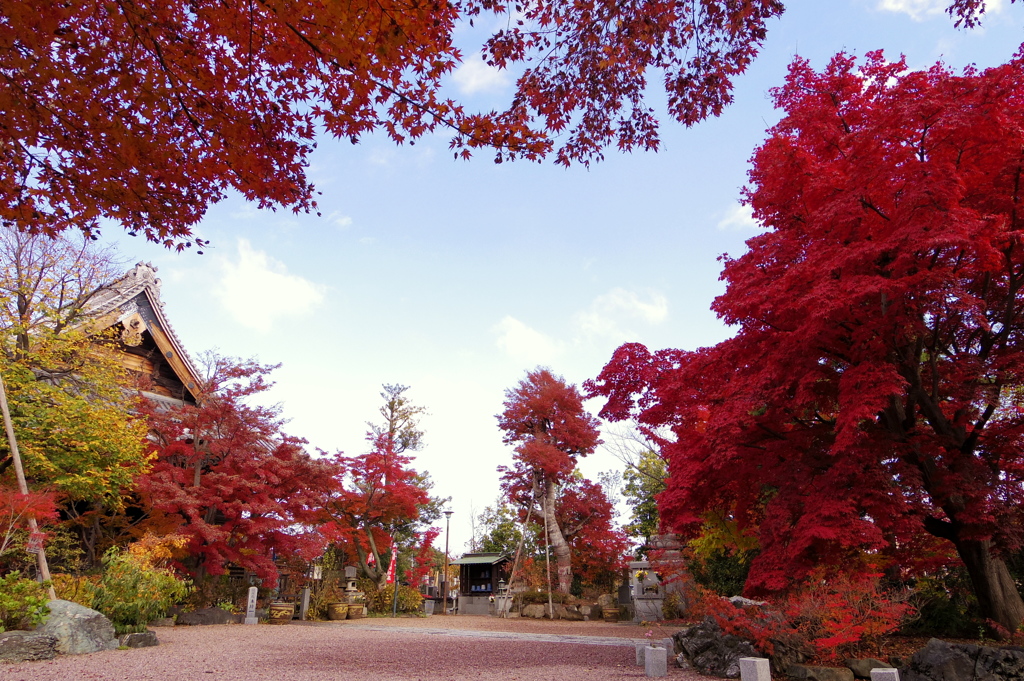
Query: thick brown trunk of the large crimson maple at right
(995, 588)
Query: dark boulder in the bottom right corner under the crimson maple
(941, 661)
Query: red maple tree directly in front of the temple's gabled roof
(227, 478)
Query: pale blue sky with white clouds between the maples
(457, 278)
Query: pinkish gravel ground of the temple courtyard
(459, 649)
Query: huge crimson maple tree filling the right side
(872, 396)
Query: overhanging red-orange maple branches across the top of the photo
(148, 112)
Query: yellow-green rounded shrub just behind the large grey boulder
(134, 592)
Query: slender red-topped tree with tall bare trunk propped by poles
(544, 418)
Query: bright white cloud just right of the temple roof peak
(258, 290)
